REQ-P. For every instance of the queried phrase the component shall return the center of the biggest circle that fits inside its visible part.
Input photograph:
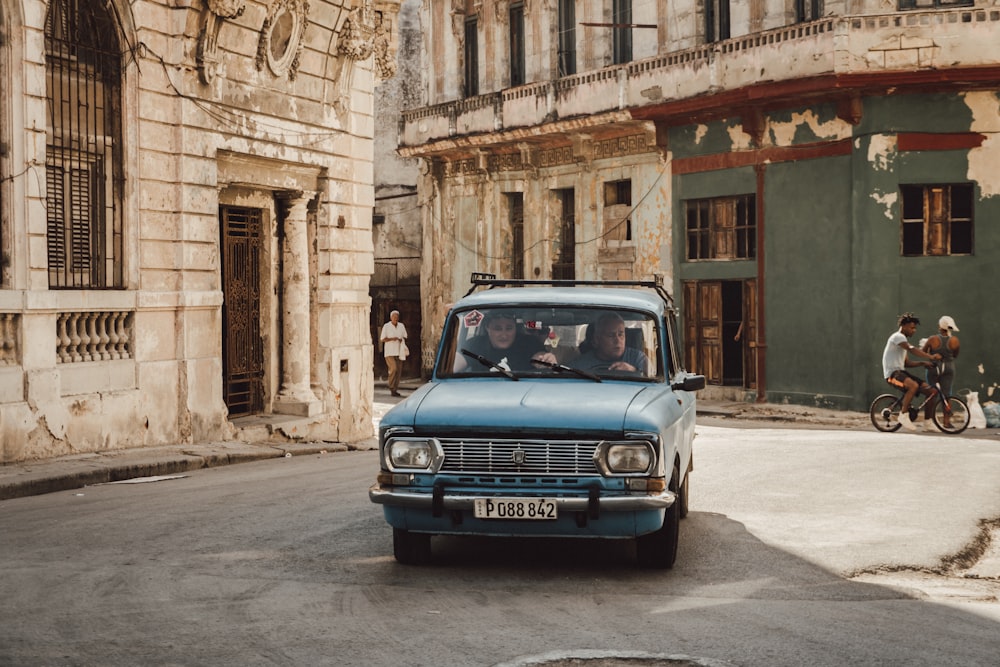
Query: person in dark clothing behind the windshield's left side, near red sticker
(503, 344)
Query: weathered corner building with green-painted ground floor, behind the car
(800, 172)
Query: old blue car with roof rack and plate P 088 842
(557, 409)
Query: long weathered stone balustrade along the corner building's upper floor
(862, 44)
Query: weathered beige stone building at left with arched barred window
(186, 202)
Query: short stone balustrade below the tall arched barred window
(93, 336)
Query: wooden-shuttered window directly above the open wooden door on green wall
(722, 228)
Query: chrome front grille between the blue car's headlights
(519, 457)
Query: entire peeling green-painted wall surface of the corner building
(834, 277)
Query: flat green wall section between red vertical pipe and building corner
(807, 281)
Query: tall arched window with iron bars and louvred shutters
(83, 161)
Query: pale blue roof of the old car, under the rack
(613, 297)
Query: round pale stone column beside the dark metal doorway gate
(296, 396)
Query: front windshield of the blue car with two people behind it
(552, 341)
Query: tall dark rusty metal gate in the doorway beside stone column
(242, 347)
